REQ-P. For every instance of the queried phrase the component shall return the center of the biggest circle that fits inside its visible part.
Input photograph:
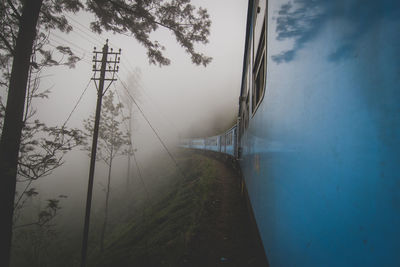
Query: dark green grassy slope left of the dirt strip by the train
(160, 234)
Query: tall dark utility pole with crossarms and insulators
(113, 68)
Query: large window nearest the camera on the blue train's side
(259, 72)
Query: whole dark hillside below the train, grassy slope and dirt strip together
(200, 220)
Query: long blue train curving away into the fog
(317, 136)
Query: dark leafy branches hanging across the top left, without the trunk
(136, 18)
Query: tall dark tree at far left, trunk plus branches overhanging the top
(19, 20)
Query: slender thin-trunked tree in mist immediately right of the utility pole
(113, 142)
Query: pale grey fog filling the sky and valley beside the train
(179, 100)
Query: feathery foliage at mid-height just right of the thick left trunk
(42, 147)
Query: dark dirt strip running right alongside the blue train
(226, 236)
